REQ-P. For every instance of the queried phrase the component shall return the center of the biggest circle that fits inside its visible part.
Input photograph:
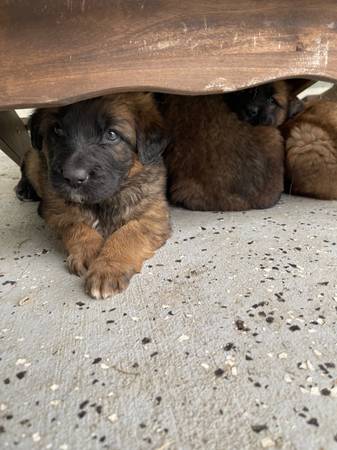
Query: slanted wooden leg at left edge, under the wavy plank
(14, 139)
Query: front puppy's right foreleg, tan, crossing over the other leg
(125, 251)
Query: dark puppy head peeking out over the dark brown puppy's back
(269, 104)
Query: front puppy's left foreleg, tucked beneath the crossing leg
(81, 241)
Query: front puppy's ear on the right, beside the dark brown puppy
(152, 139)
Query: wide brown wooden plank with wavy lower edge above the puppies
(62, 51)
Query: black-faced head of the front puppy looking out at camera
(92, 145)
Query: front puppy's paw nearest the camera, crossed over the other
(106, 278)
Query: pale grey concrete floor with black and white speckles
(226, 341)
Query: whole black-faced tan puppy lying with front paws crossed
(97, 168)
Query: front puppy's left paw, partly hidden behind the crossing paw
(82, 256)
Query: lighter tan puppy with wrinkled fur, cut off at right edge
(311, 151)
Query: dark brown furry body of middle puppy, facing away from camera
(216, 161)
